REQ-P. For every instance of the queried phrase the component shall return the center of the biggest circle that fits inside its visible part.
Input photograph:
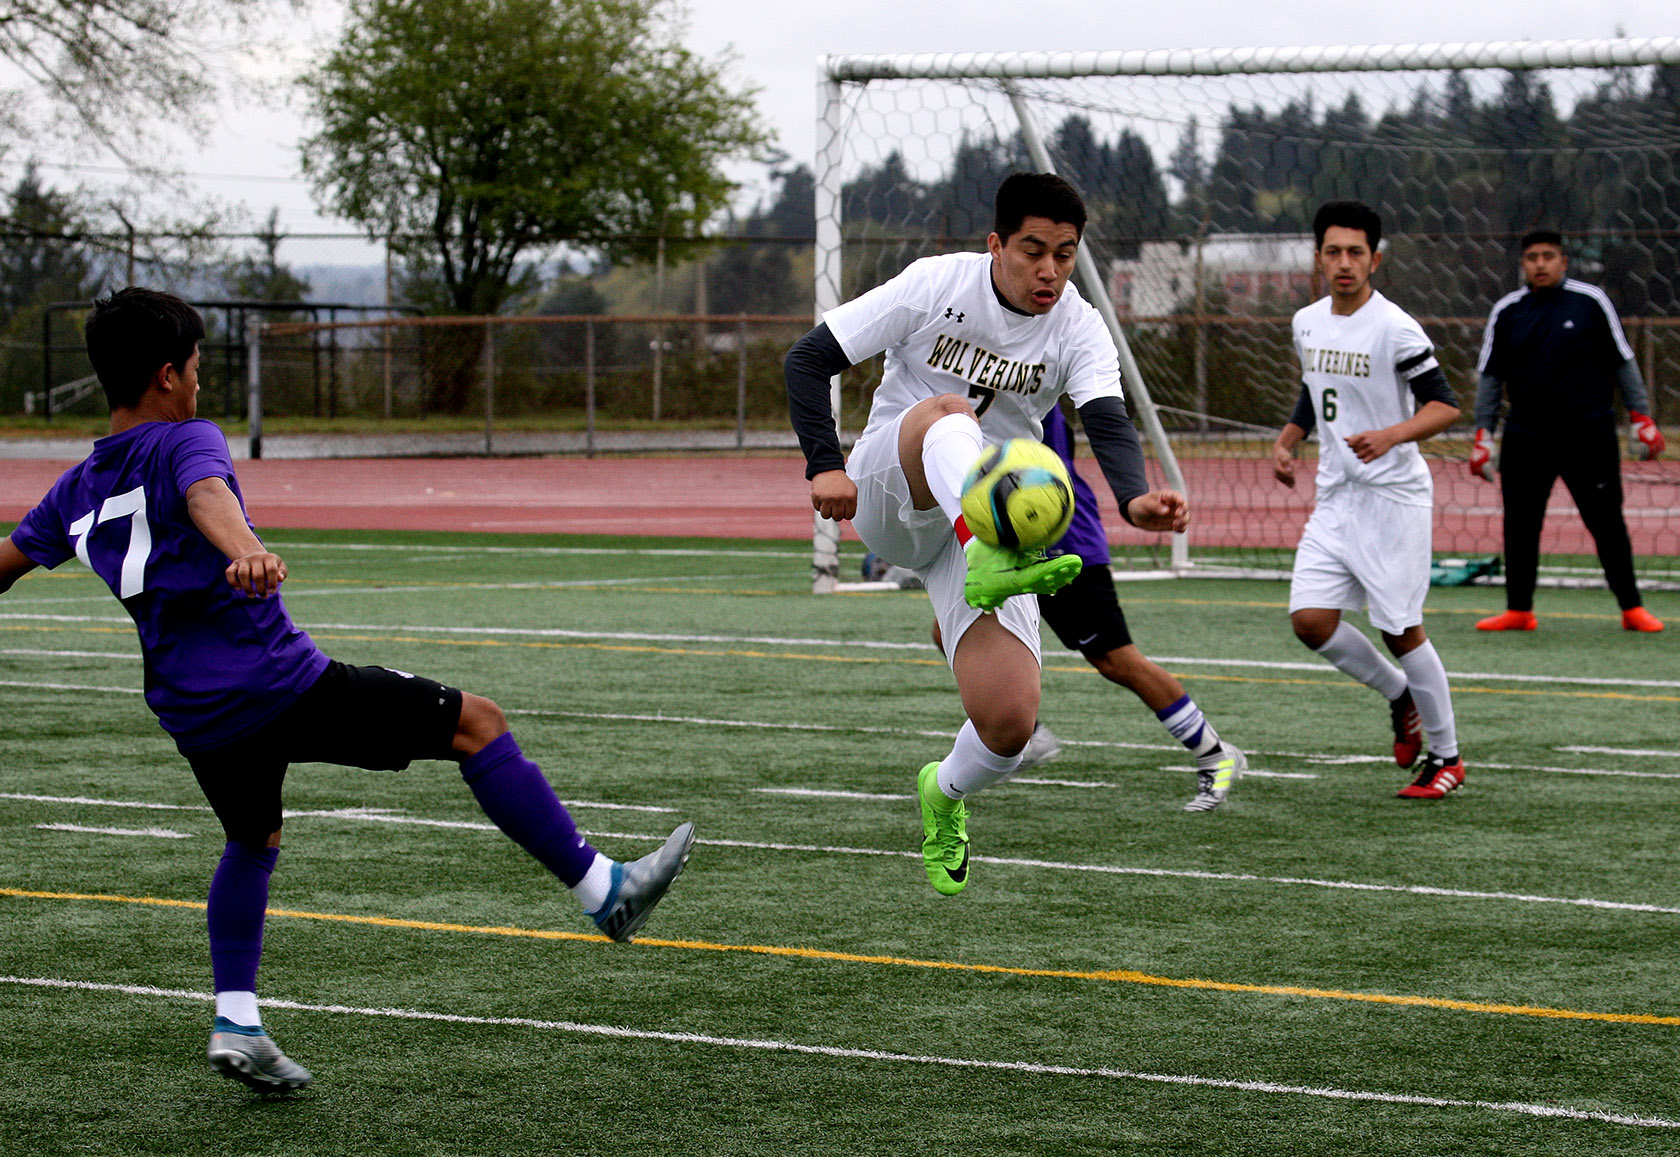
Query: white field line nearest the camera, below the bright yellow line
(886, 1057)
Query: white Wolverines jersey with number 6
(1358, 372)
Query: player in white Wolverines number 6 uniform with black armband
(1373, 387)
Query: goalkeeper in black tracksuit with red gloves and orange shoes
(1558, 352)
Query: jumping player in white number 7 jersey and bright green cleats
(979, 348)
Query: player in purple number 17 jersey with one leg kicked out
(157, 513)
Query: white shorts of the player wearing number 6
(1363, 550)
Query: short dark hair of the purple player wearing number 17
(134, 333)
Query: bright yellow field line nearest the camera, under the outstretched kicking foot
(1106, 976)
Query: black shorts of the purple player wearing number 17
(355, 716)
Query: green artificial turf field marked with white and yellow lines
(1296, 973)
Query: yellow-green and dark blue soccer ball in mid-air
(1019, 496)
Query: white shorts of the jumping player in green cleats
(893, 528)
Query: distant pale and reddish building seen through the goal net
(1242, 270)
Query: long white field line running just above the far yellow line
(843, 644)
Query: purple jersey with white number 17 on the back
(219, 664)
